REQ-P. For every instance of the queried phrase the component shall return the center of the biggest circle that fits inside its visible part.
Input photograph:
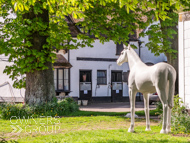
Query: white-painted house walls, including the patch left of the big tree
(106, 50)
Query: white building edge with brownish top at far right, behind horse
(184, 57)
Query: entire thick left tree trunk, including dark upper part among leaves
(39, 83)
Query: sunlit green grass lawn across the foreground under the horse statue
(90, 128)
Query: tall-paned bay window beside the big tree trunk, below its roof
(61, 79)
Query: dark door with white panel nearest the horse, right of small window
(117, 86)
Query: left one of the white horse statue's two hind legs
(162, 94)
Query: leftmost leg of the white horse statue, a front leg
(132, 96)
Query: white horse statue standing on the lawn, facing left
(158, 78)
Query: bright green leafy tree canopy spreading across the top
(106, 19)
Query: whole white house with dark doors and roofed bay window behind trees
(92, 73)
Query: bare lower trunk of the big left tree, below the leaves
(40, 86)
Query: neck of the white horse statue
(133, 58)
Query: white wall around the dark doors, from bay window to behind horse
(106, 50)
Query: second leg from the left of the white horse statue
(146, 109)
